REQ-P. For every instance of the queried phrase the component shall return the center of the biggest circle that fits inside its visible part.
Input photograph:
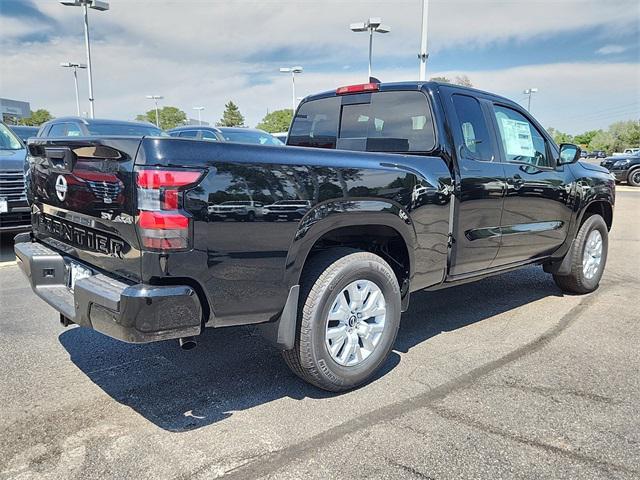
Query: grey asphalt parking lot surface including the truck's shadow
(502, 378)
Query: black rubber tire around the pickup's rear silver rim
(327, 273)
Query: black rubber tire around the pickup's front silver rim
(576, 281)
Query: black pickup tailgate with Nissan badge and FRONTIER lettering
(82, 193)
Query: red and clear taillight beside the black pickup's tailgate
(162, 223)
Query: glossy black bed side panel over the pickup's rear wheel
(245, 269)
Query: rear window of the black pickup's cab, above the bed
(396, 122)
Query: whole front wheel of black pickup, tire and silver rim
(588, 257)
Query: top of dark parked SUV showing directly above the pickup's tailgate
(85, 127)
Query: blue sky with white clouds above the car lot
(582, 55)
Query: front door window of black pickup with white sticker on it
(521, 140)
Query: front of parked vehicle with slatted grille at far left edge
(15, 214)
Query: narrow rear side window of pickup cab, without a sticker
(476, 143)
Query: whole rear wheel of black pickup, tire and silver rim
(348, 319)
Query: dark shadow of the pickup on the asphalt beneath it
(235, 369)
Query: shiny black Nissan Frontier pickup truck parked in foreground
(400, 187)
